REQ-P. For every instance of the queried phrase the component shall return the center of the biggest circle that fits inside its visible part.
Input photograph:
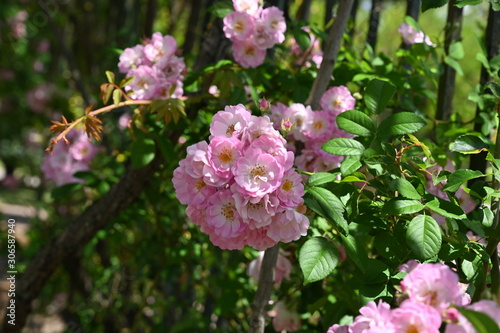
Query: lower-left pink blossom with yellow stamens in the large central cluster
(223, 215)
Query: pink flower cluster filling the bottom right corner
(430, 293)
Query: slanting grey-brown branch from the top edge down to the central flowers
(330, 54)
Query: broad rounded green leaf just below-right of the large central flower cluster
(318, 258)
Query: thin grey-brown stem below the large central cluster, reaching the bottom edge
(257, 318)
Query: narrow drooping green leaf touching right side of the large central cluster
(328, 205)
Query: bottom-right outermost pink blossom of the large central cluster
(288, 226)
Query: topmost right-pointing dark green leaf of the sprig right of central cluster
(400, 123)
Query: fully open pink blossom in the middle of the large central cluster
(257, 173)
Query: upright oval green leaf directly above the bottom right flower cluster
(424, 237)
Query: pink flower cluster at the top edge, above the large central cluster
(253, 29)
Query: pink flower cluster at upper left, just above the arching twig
(157, 71)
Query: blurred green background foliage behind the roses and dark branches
(150, 269)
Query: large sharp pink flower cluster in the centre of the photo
(240, 187)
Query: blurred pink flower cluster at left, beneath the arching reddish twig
(66, 159)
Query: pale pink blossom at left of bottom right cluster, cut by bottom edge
(374, 318)
